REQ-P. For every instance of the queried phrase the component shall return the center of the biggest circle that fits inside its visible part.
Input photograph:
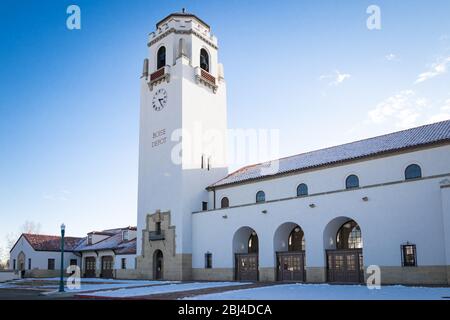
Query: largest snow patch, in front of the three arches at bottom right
(329, 292)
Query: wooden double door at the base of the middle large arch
(291, 266)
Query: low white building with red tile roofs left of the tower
(107, 254)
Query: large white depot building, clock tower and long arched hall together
(322, 216)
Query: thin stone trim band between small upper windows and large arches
(333, 192)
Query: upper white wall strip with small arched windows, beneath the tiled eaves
(432, 161)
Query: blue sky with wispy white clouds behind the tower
(69, 99)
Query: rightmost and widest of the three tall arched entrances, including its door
(343, 244)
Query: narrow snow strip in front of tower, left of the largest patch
(145, 291)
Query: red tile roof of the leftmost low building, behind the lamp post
(41, 242)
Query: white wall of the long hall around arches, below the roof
(396, 213)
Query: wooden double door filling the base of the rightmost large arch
(345, 266)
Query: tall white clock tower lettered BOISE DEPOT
(182, 142)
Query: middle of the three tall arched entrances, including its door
(289, 245)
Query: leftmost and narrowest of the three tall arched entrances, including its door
(245, 250)
